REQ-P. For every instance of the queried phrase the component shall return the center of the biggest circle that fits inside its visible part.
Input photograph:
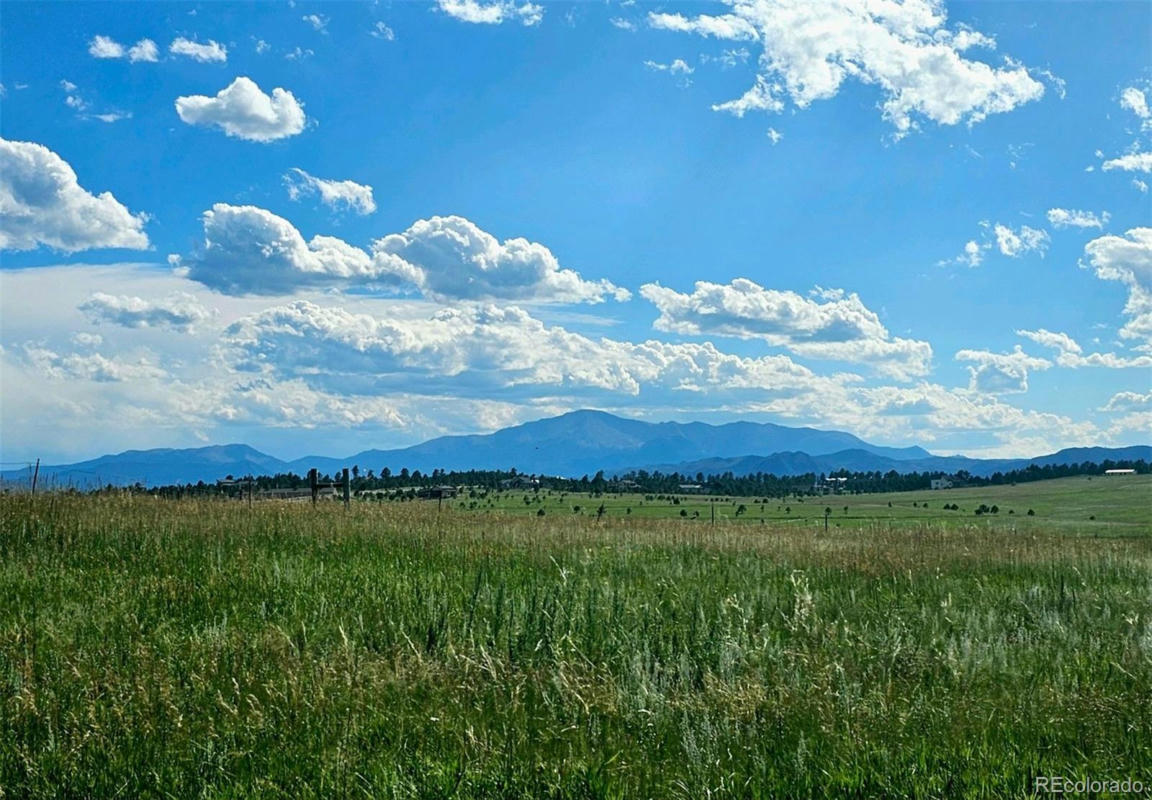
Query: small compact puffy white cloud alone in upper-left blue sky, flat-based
(244, 111)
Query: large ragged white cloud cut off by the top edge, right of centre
(906, 50)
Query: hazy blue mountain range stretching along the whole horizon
(579, 443)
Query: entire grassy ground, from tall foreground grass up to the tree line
(157, 648)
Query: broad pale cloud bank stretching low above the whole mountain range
(513, 368)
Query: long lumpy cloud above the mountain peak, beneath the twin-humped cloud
(483, 351)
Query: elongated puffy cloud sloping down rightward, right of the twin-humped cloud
(832, 326)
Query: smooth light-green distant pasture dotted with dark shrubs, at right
(1094, 505)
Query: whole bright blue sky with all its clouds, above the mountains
(922, 223)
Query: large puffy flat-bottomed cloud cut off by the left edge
(43, 203)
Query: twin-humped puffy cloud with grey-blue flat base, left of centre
(249, 251)
